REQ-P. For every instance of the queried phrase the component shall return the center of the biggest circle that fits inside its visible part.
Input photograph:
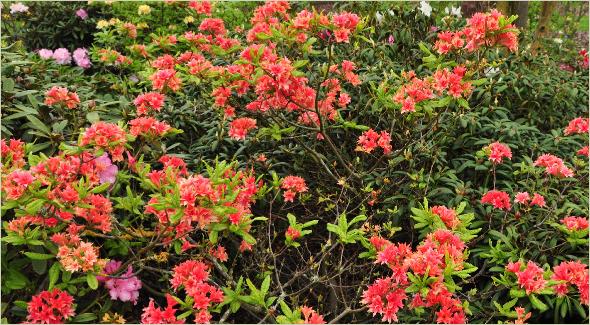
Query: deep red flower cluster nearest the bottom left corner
(50, 307)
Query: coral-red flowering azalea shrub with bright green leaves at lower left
(59, 204)
